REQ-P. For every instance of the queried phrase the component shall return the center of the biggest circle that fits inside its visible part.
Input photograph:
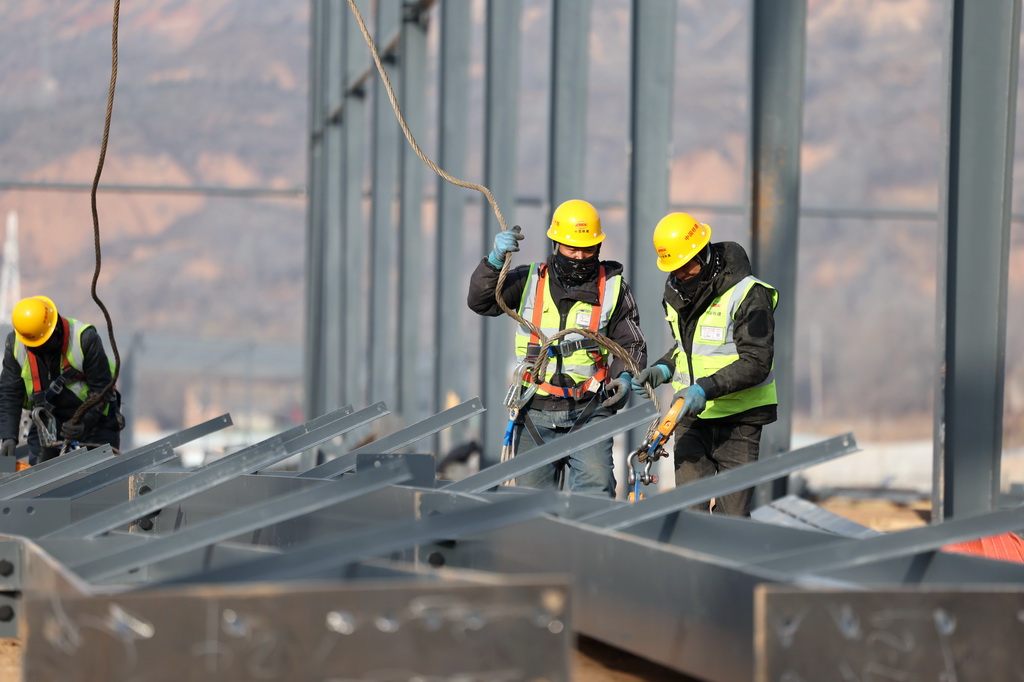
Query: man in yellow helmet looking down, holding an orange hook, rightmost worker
(722, 319)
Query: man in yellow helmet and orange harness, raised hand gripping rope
(572, 289)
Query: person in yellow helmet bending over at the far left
(52, 366)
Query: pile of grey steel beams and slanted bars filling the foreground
(139, 569)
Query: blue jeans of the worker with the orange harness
(590, 471)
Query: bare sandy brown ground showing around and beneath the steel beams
(595, 662)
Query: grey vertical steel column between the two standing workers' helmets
(653, 45)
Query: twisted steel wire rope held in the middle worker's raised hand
(540, 366)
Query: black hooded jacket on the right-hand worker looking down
(754, 331)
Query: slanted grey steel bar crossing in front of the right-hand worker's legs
(740, 479)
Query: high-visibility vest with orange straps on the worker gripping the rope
(581, 359)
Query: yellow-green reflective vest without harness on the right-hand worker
(714, 349)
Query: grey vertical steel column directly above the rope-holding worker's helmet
(568, 133)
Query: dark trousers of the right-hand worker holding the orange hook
(706, 449)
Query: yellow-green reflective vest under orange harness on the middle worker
(582, 364)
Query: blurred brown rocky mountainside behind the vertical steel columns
(215, 94)
